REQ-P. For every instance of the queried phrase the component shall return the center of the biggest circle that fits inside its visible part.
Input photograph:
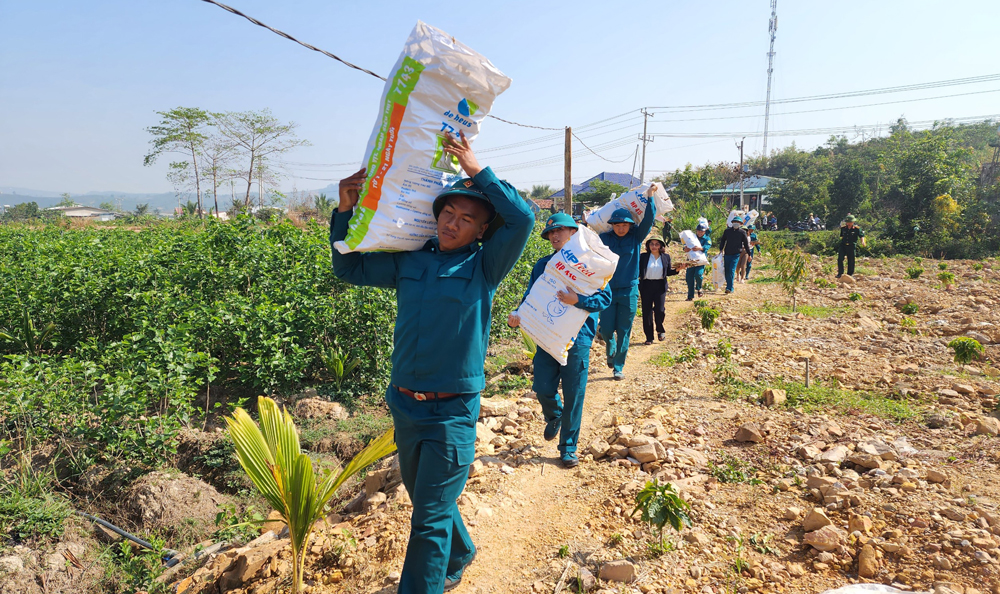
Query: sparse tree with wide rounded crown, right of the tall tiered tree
(257, 138)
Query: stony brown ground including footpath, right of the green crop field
(883, 470)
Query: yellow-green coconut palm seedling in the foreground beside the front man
(271, 456)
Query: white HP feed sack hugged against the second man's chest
(584, 266)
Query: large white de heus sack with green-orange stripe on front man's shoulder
(438, 85)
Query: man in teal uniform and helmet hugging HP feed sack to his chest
(563, 418)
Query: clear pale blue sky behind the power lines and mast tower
(80, 81)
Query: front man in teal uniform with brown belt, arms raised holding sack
(444, 294)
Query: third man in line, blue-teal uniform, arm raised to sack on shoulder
(624, 239)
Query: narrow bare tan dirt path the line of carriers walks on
(543, 506)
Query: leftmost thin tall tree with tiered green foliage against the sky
(181, 130)
